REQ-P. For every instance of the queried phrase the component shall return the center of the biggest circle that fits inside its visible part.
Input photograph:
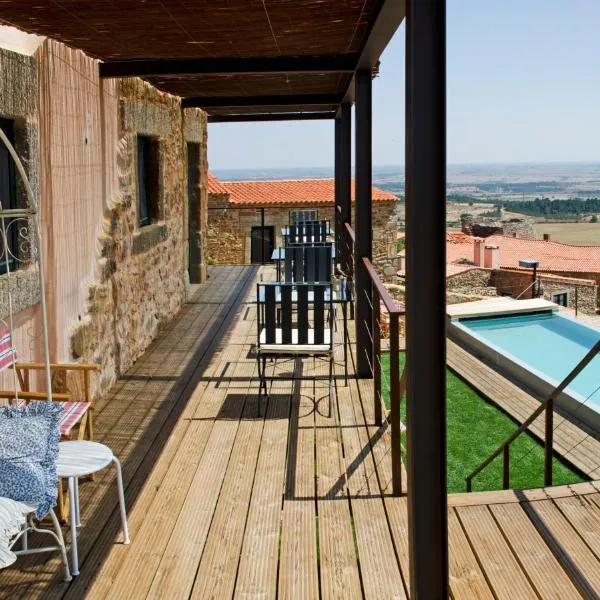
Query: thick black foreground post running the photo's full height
(426, 297)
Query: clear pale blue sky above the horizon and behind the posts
(523, 86)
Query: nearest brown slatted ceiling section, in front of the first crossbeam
(129, 29)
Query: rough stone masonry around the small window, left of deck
(141, 271)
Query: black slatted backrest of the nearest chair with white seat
(305, 307)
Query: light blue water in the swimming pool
(547, 343)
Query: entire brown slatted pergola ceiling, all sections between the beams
(126, 30)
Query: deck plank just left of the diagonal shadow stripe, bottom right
(544, 571)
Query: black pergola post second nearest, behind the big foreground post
(363, 229)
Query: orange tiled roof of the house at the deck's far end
(291, 192)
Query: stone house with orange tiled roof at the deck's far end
(236, 210)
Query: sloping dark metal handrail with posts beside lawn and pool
(546, 406)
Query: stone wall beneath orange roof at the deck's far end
(229, 231)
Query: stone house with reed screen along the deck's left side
(119, 170)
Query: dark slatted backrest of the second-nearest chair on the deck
(308, 263)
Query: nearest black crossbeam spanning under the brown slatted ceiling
(345, 63)
